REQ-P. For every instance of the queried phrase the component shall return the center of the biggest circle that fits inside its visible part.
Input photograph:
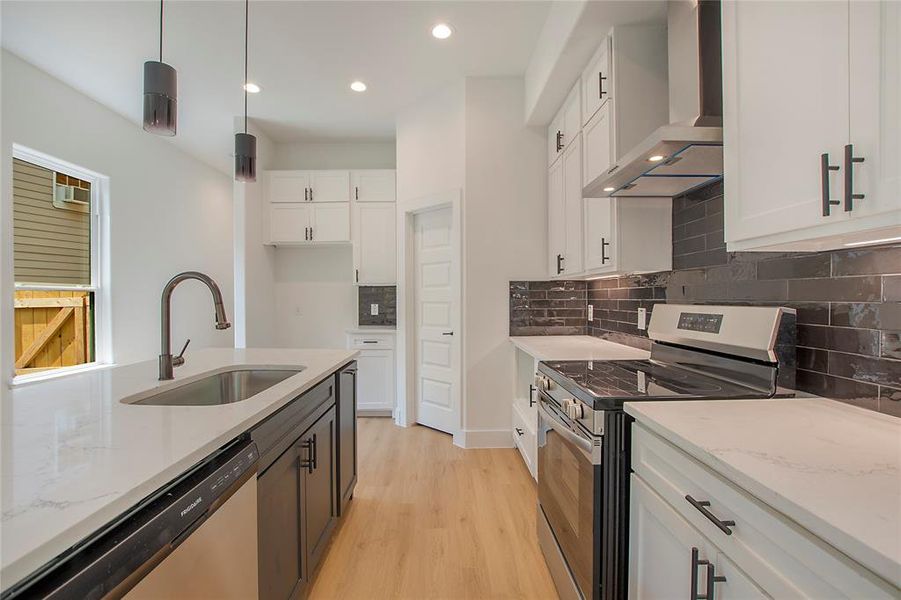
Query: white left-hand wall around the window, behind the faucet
(168, 211)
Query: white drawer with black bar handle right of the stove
(779, 555)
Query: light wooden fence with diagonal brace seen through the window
(52, 329)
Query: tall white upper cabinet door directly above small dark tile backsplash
(375, 253)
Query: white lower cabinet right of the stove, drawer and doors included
(679, 505)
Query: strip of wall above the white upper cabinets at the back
(334, 155)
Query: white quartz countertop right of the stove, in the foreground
(833, 468)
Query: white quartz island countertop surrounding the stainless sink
(74, 457)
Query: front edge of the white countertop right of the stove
(878, 563)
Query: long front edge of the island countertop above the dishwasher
(34, 560)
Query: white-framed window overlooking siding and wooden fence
(57, 266)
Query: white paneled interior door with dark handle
(436, 313)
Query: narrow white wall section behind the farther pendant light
(254, 319)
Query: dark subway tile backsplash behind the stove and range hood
(848, 302)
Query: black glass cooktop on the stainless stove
(630, 380)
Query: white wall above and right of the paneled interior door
(471, 137)
